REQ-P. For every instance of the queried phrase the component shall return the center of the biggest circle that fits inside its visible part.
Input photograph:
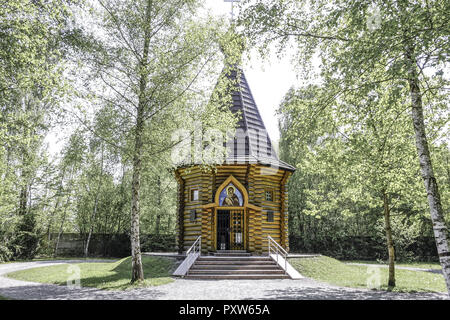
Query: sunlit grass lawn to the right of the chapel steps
(332, 271)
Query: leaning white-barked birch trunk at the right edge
(434, 199)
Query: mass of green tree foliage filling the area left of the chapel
(52, 62)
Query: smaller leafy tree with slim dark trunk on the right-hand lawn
(361, 152)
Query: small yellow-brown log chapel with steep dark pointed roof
(245, 200)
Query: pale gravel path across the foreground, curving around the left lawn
(180, 289)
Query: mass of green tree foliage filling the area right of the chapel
(351, 136)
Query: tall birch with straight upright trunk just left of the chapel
(149, 57)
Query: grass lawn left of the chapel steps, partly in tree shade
(103, 275)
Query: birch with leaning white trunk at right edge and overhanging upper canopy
(408, 40)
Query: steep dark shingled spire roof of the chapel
(252, 143)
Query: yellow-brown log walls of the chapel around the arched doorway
(257, 179)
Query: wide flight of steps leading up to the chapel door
(234, 264)
